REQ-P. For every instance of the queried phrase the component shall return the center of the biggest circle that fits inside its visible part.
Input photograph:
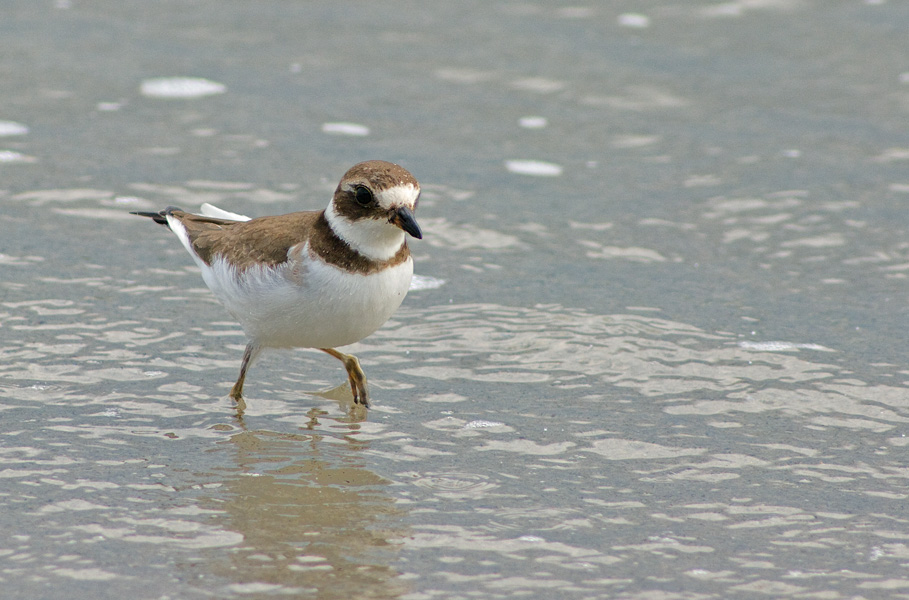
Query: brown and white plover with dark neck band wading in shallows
(310, 279)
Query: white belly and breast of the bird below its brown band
(313, 305)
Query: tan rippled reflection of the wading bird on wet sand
(311, 517)
